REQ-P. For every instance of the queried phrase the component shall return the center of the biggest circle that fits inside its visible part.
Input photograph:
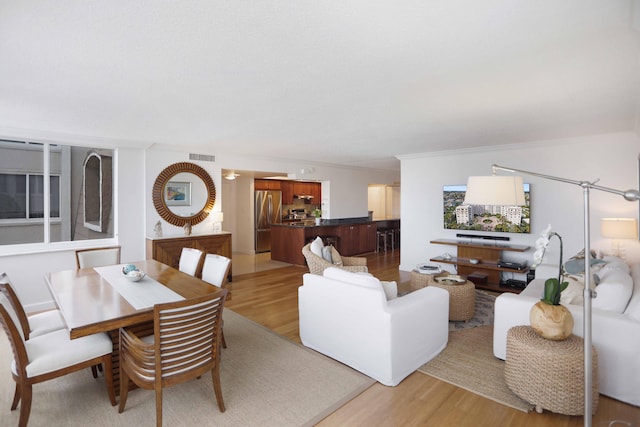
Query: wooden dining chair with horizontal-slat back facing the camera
(185, 345)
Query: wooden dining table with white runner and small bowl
(102, 300)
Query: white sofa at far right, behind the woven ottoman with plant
(615, 328)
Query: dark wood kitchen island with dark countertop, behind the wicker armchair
(354, 236)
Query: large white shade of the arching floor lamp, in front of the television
(495, 190)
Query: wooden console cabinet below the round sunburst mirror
(167, 250)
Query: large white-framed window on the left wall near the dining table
(32, 212)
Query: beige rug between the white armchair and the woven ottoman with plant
(468, 362)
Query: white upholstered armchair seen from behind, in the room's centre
(347, 317)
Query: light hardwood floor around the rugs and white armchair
(270, 298)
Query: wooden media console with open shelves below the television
(488, 256)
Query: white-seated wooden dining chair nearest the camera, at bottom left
(50, 356)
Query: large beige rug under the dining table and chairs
(267, 380)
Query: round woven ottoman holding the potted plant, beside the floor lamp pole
(549, 374)
